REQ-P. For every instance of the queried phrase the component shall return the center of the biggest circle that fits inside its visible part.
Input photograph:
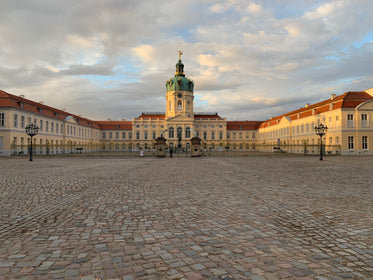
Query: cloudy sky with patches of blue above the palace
(249, 60)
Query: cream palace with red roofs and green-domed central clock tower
(348, 117)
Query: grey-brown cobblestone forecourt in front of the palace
(186, 218)
